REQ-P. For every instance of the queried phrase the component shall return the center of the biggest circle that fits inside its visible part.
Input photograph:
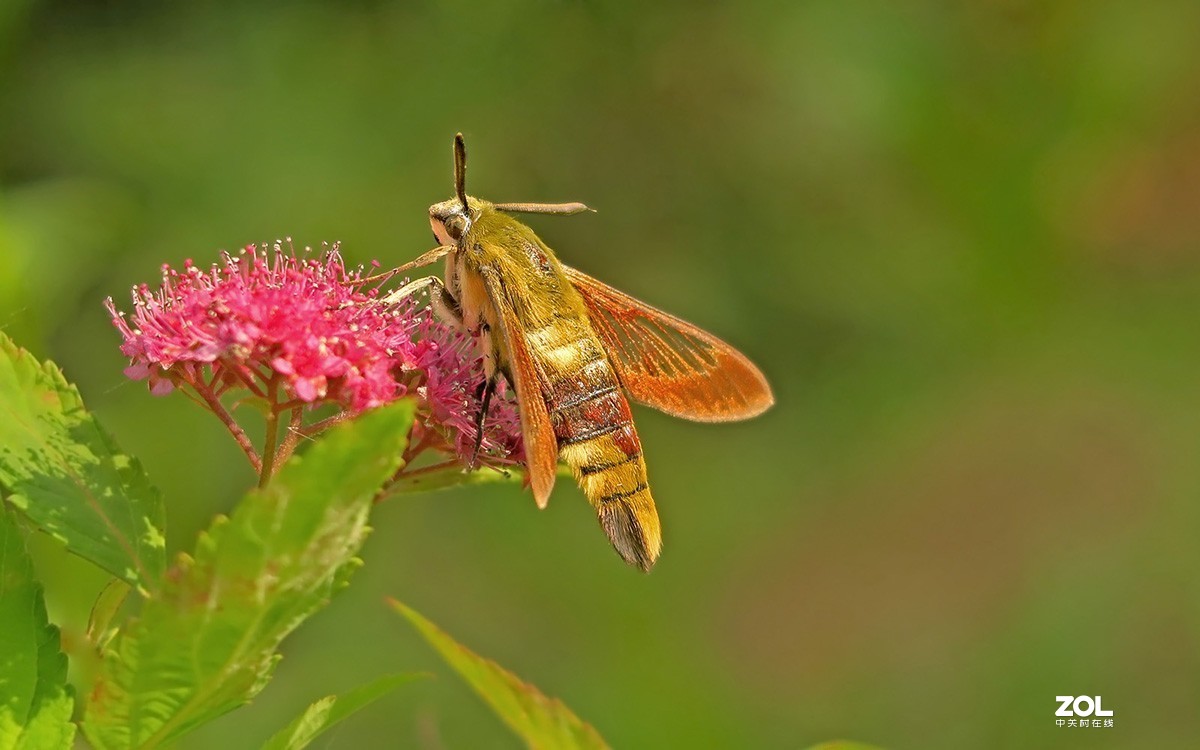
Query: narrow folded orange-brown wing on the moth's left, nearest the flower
(538, 433)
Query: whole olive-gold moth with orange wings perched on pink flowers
(577, 351)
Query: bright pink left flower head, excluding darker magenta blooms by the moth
(303, 319)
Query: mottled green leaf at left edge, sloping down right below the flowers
(61, 470)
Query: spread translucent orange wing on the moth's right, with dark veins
(670, 364)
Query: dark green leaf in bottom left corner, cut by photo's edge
(35, 700)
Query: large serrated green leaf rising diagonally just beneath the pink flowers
(208, 643)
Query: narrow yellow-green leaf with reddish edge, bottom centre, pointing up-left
(543, 723)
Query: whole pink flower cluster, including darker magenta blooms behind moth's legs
(303, 332)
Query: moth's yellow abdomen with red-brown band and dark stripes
(597, 437)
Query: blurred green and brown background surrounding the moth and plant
(962, 239)
